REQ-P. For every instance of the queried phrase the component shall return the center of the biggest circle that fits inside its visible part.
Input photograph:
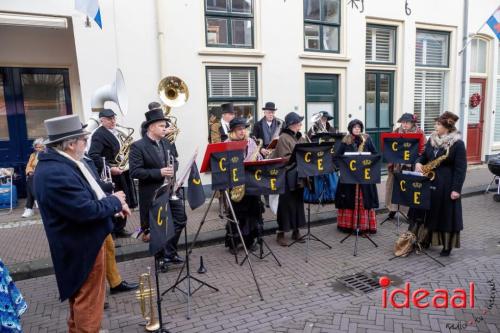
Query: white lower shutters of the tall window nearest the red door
(429, 91)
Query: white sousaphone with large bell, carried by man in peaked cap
(114, 92)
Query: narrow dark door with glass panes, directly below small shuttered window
(379, 104)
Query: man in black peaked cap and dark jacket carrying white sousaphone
(105, 143)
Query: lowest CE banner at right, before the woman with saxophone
(411, 191)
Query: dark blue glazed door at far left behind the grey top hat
(28, 96)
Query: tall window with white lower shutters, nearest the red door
(432, 61)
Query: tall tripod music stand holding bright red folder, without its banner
(213, 148)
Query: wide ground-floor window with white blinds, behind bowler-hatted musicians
(237, 85)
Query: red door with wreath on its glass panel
(475, 122)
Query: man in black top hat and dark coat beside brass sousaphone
(149, 164)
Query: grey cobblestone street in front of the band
(306, 297)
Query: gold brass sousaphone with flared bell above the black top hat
(173, 92)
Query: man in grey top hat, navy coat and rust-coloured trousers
(77, 217)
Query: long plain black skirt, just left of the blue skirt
(291, 214)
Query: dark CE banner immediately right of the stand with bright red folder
(265, 179)
